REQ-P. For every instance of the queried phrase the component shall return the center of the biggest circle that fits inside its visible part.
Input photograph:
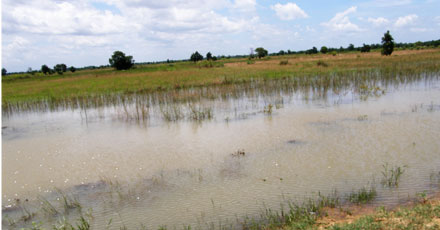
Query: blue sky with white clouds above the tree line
(86, 32)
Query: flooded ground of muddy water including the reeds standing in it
(217, 157)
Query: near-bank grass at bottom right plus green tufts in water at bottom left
(320, 212)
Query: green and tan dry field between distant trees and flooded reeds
(27, 88)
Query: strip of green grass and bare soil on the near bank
(311, 215)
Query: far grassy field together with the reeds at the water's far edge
(181, 81)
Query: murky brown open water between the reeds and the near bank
(192, 173)
